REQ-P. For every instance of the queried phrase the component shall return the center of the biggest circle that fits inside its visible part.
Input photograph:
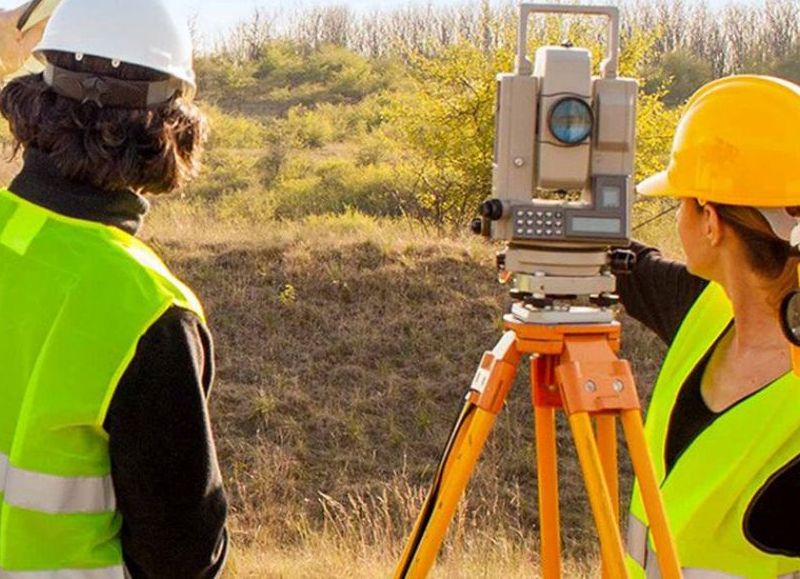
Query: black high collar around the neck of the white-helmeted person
(41, 182)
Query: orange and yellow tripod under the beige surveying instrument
(574, 367)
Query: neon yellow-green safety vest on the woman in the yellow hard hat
(716, 479)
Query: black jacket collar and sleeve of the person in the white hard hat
(163, 461)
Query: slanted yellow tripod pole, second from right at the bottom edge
(607, 528)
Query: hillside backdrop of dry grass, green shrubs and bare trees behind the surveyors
(345, 342)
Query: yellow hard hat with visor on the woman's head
(738, 143)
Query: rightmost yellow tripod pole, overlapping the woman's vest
(654, 506)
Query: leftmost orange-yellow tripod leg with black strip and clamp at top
(485, 400)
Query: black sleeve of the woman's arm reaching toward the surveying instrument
(658, 292)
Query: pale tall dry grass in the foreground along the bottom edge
(357, 540)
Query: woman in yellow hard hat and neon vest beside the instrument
(723, 424)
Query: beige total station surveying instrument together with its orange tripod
(563, 191)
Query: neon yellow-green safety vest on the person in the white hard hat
(75, 298)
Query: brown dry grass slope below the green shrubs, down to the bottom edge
(345, 345)
